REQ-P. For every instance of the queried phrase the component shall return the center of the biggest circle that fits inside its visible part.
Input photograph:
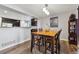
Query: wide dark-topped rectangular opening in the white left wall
(6, 22)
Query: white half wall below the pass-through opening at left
(11, 36)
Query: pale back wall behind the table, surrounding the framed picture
(62, 23)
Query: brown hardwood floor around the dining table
(24, 48)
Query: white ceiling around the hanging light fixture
(36, 9)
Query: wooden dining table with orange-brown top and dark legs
(44, 34)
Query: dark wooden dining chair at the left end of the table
(35, 39)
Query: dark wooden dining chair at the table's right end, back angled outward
(55, 44)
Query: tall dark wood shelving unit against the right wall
(72, 29)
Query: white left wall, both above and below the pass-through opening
(14, 35)
